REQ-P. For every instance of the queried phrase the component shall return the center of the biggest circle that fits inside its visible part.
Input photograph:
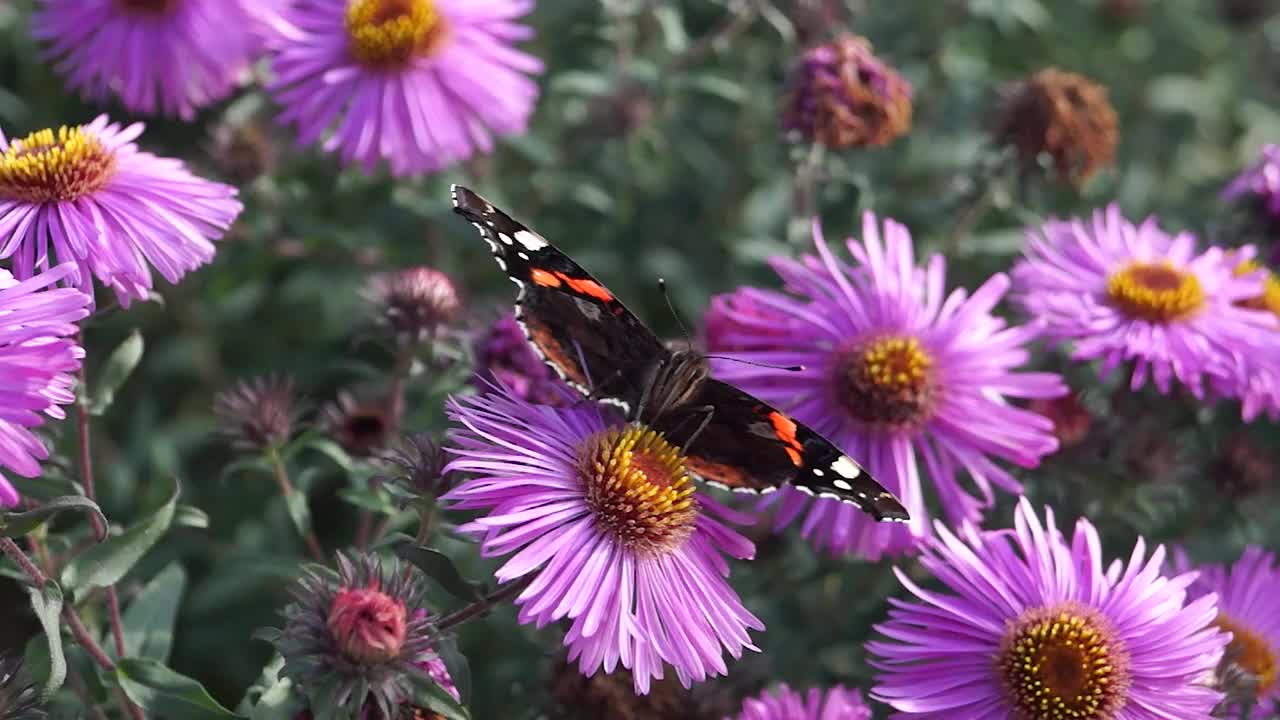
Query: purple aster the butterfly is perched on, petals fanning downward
(605, 521)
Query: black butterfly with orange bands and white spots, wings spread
(730, 439)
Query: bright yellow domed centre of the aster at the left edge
(48, 167)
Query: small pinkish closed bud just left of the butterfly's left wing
(414, 303)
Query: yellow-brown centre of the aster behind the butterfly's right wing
(888, 382)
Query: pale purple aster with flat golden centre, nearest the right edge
(1127, 293)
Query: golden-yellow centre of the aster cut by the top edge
(388, 34)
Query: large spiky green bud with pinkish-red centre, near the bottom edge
(359, 637)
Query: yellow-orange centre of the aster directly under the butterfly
(638, 489)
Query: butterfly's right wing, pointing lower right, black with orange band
(751, 446)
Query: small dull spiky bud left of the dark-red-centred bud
(260, 413)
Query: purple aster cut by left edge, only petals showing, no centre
(38, 358)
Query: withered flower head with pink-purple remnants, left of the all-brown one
(844, 97)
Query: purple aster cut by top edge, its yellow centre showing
(420, 84)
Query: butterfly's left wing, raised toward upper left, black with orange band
(577, 325)
